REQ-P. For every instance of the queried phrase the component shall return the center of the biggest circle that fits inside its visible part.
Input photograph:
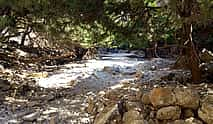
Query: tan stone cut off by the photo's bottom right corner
(206, 112)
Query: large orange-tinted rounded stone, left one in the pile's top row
(161, 97)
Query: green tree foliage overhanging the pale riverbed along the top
(109, 23)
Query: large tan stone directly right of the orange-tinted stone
(187, 98)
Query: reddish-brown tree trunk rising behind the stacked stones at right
(189, 51)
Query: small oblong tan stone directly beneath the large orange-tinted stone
(169, 113)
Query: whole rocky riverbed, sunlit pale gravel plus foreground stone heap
(117, 88)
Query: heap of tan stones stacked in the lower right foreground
(161, 105)
